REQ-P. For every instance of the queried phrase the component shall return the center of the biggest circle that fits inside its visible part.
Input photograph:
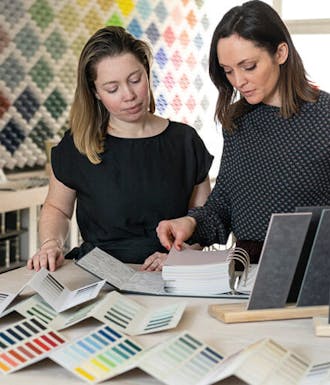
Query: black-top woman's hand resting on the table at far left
(49, 256)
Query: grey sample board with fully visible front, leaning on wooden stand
(279, 257)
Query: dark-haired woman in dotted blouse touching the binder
(276, 129)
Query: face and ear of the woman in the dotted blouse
(251, 70)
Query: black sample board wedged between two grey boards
(305, 253)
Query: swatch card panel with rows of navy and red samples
(25, 343)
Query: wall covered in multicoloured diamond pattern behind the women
(40, 42)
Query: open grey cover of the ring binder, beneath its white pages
(126, 279)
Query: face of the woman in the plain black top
(123, 87)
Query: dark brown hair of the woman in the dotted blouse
(259, 23)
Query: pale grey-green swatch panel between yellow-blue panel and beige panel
(181, 360)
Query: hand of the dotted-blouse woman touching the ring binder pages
(174, 232)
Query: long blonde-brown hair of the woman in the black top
(88, 117)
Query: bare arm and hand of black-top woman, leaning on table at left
(54, 224)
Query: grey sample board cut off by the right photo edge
(316, 283)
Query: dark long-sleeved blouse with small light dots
(269, 165)
